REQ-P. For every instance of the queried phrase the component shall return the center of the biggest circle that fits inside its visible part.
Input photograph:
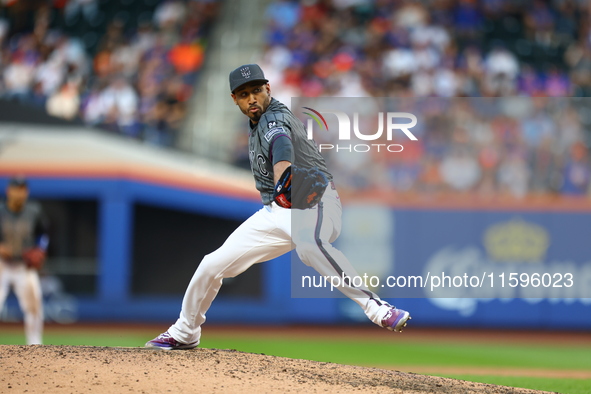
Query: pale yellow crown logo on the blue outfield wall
(516, 241)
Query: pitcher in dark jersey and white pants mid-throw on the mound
(277, 140)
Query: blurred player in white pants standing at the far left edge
(23, 242)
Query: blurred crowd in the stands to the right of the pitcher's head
(449, 48)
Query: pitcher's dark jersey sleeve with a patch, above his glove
(276, 138)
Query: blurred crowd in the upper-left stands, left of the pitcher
(133, 76)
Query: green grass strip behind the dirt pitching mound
(372, 353)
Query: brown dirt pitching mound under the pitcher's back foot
(75, 369)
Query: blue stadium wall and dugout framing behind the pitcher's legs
(433, 230)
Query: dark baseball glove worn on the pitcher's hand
(300, 188)
